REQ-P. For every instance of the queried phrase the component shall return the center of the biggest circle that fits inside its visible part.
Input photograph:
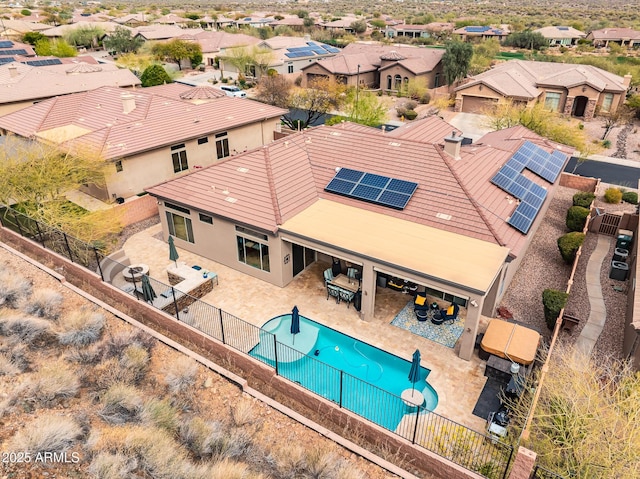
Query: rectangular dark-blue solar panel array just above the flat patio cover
(378, 189)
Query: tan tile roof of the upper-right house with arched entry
(520, 78)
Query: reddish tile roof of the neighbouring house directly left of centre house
(158, 119)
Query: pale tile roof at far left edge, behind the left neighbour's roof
(34, 83)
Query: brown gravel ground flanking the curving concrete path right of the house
(543, 268)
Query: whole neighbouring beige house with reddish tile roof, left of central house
(147, 135)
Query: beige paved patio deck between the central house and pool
(457, 382)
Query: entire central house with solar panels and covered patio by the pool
(432, 214)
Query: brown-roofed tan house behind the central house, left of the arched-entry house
(380, 66)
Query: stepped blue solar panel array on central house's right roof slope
(531, 195)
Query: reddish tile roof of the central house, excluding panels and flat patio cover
(267, 186)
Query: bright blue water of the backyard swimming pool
(371, 381)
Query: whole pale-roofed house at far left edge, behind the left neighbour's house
(22, 84)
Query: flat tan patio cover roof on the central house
(446, 257)
